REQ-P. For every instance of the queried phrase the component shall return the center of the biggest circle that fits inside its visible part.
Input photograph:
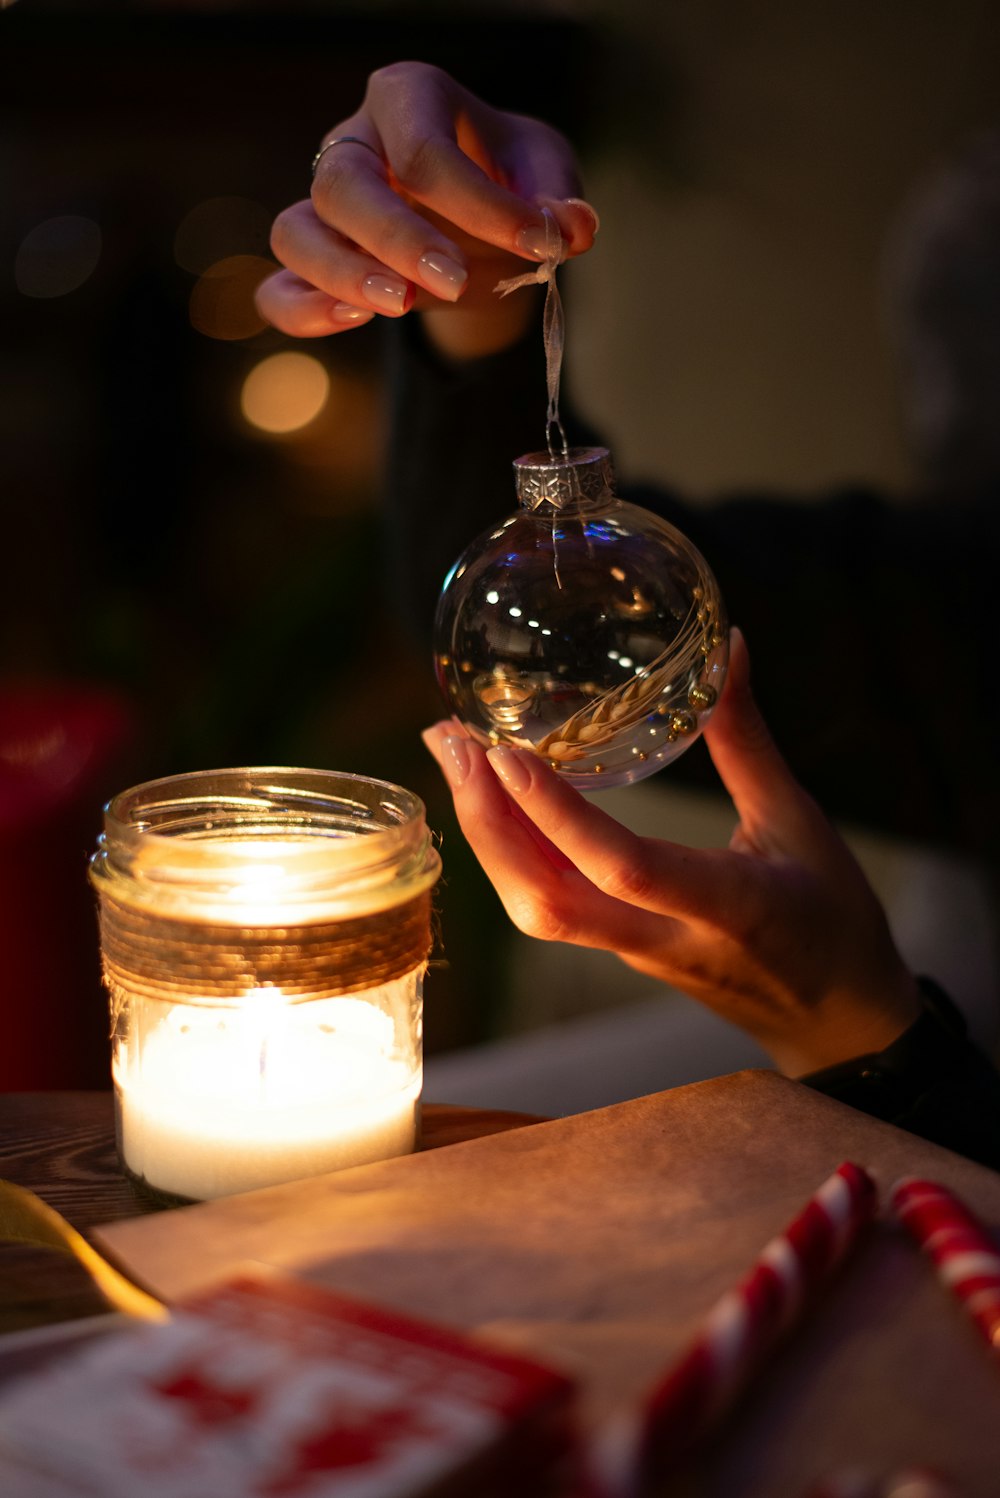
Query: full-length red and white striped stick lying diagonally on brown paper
(745, 1323)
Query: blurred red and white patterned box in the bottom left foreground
(275, 1389)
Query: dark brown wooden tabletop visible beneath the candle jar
(62, 1145)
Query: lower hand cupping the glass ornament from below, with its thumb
(781, 933)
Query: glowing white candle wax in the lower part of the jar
(212, 1103)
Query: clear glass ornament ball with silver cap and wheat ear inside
(583, 628)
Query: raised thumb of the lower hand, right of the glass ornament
(763, 789)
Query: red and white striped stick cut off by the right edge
(963, 1252)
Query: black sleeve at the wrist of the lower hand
(933, 1081)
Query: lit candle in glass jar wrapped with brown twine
(264, 938)
